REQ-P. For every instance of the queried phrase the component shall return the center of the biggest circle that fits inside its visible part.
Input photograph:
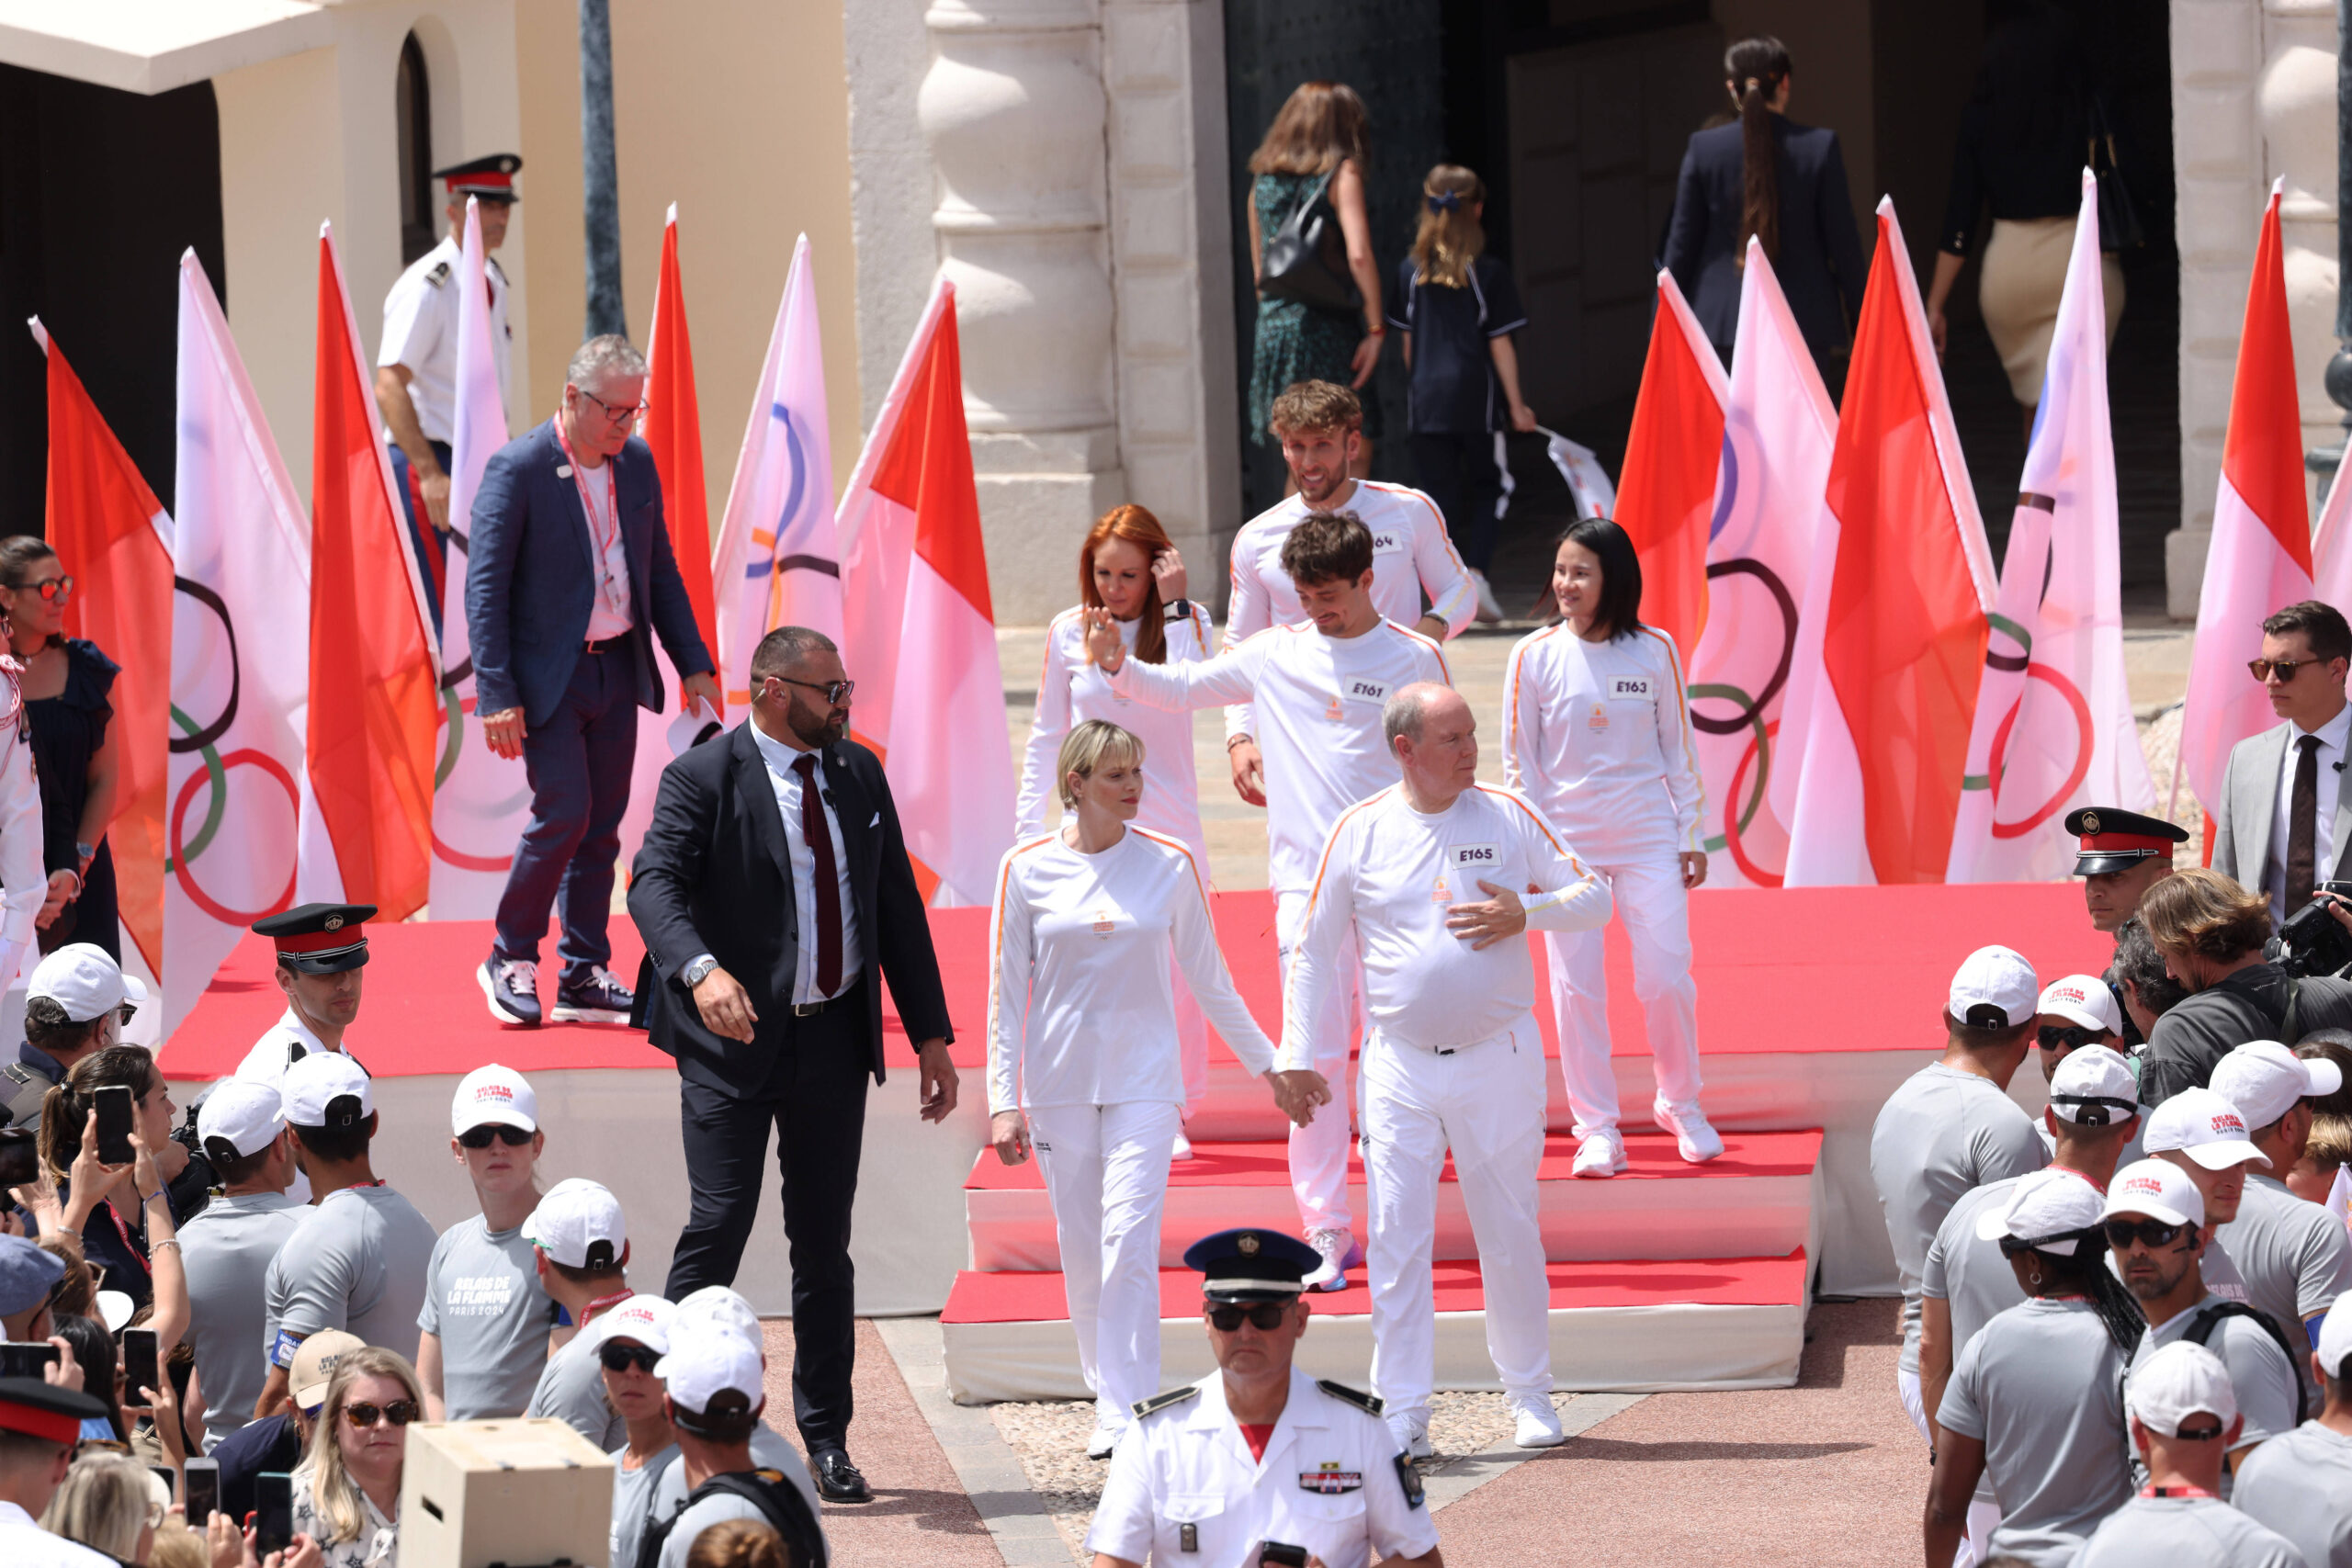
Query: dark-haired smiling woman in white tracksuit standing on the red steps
(1598, 735)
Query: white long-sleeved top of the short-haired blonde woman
(1078, 1000)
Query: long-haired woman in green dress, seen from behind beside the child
(1321, 130)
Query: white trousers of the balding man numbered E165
(1485, 1104)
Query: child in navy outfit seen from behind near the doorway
(1459, 311)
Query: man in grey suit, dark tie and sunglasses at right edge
(2285, 817)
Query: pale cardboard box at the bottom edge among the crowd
(505, 1492)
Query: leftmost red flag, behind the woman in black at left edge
(114, 540)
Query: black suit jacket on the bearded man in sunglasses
(716, 878)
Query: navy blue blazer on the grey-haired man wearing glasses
(530, 579)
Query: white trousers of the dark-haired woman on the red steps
(1657, 913)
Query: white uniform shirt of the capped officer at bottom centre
(1184, 1489)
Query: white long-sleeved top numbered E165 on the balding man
(1396, 873)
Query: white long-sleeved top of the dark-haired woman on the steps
(1598, 735)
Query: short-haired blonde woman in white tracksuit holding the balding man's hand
(1083, 1057)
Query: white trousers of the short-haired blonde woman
(1107, 1172)
